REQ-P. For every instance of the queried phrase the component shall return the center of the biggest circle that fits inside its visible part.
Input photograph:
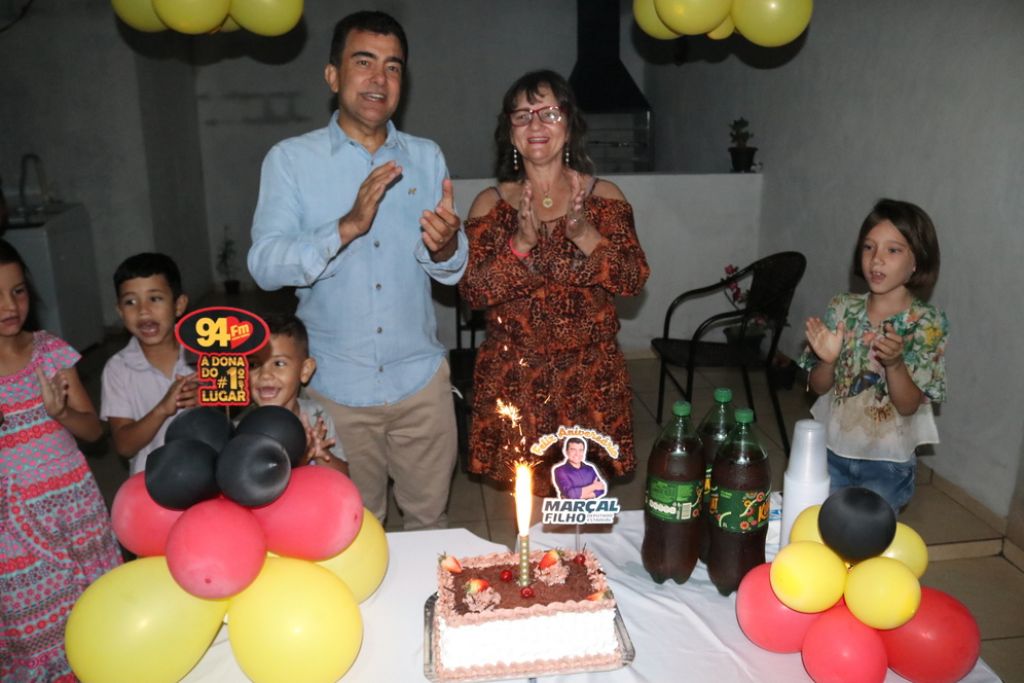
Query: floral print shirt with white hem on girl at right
(861, 418)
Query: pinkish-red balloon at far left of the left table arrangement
(141, 525)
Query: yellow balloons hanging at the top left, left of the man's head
(265, 18)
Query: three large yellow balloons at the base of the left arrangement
(297, 621)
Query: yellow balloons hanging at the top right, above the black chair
(764, 23)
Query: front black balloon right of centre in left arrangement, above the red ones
(253, 471)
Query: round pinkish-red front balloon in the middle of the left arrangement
(217, 549)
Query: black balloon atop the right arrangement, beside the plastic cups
(858, 524)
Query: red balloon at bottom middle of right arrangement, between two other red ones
(839, 649)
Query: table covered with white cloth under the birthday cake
(681, 633)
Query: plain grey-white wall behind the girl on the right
(922, 102)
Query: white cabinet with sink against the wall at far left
(62, 262)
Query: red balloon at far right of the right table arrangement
(940, 645)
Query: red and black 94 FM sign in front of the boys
(223, 338)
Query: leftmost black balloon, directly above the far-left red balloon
(182, 474)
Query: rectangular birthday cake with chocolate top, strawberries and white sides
(487, 626)
